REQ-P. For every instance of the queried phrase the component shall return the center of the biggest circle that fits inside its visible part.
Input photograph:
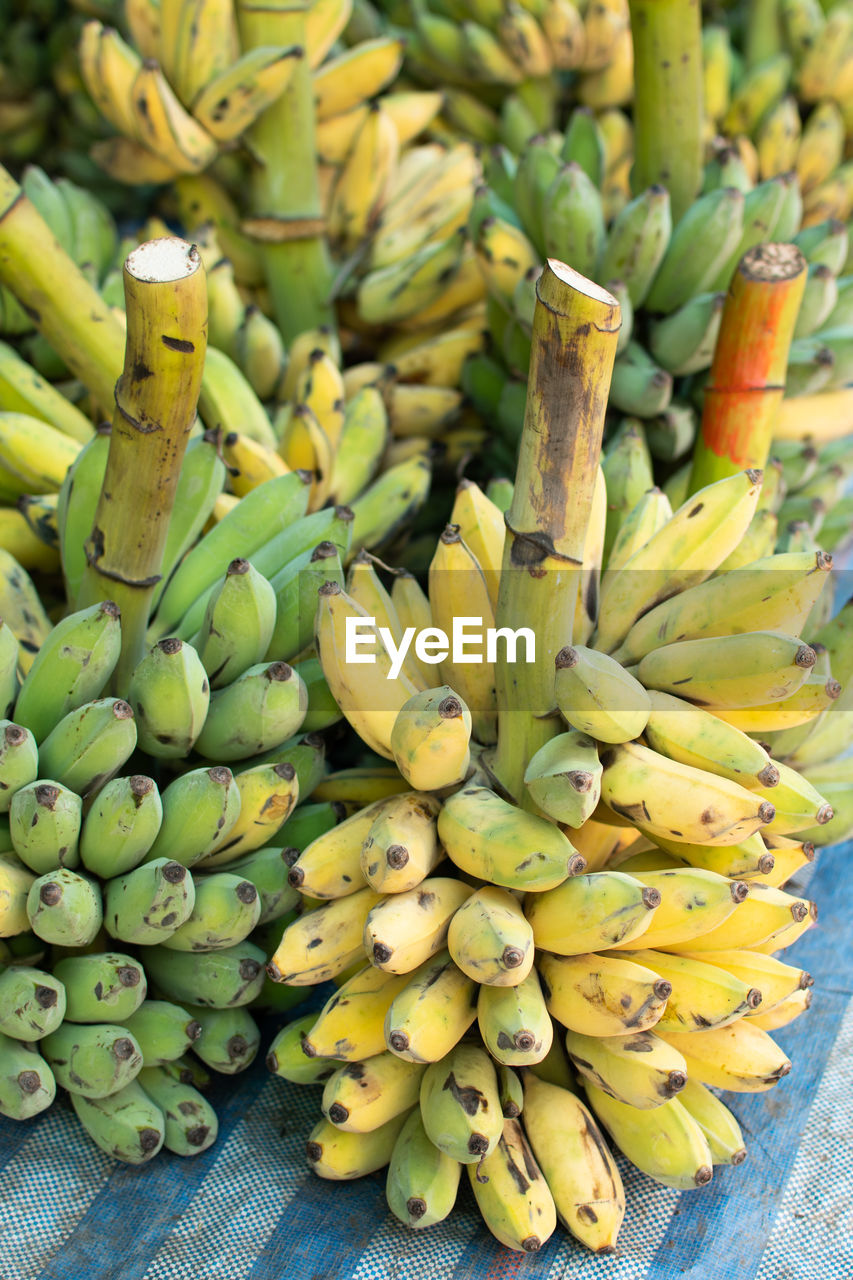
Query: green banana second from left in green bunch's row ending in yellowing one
(121, 826)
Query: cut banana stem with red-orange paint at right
(743, 397)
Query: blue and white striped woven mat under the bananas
(250, 1210)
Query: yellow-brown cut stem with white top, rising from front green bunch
(156, 405)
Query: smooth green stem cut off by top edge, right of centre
(668, 99)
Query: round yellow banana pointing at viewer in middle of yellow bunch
(490, 939)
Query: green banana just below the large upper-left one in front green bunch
(89, 746)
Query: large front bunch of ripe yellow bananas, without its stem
(517, 979)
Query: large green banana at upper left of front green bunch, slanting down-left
(71, 669)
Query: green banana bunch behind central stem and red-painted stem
(568, 196)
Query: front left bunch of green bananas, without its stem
(134, 915)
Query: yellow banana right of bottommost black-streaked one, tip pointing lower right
(667, 1144)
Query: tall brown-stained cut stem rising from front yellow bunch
(576, 327)
